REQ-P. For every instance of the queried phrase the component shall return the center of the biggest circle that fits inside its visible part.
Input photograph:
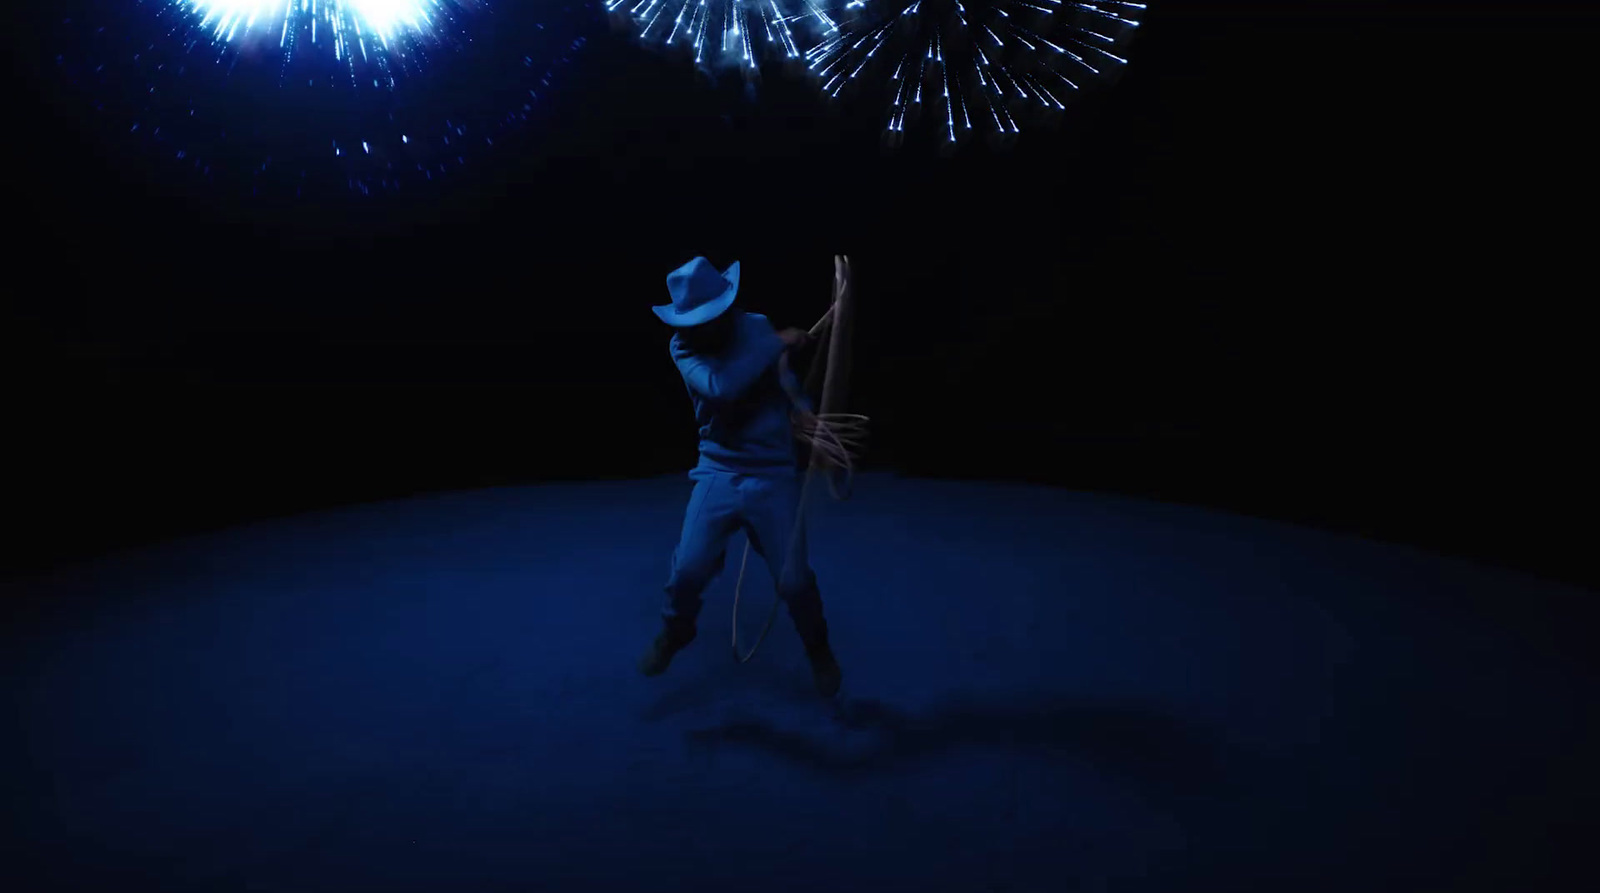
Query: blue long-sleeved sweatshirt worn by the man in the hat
(742, 401)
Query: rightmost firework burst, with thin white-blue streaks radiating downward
(972, 65)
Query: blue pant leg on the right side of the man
(772, 518)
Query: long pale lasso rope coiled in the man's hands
(836, 442)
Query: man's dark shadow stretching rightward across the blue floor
(1161, 755)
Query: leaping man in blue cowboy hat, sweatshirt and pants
(748, 476)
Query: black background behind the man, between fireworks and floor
(1316, 262)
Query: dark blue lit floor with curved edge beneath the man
(1044, 692)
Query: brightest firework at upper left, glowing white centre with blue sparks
(308, 97)
